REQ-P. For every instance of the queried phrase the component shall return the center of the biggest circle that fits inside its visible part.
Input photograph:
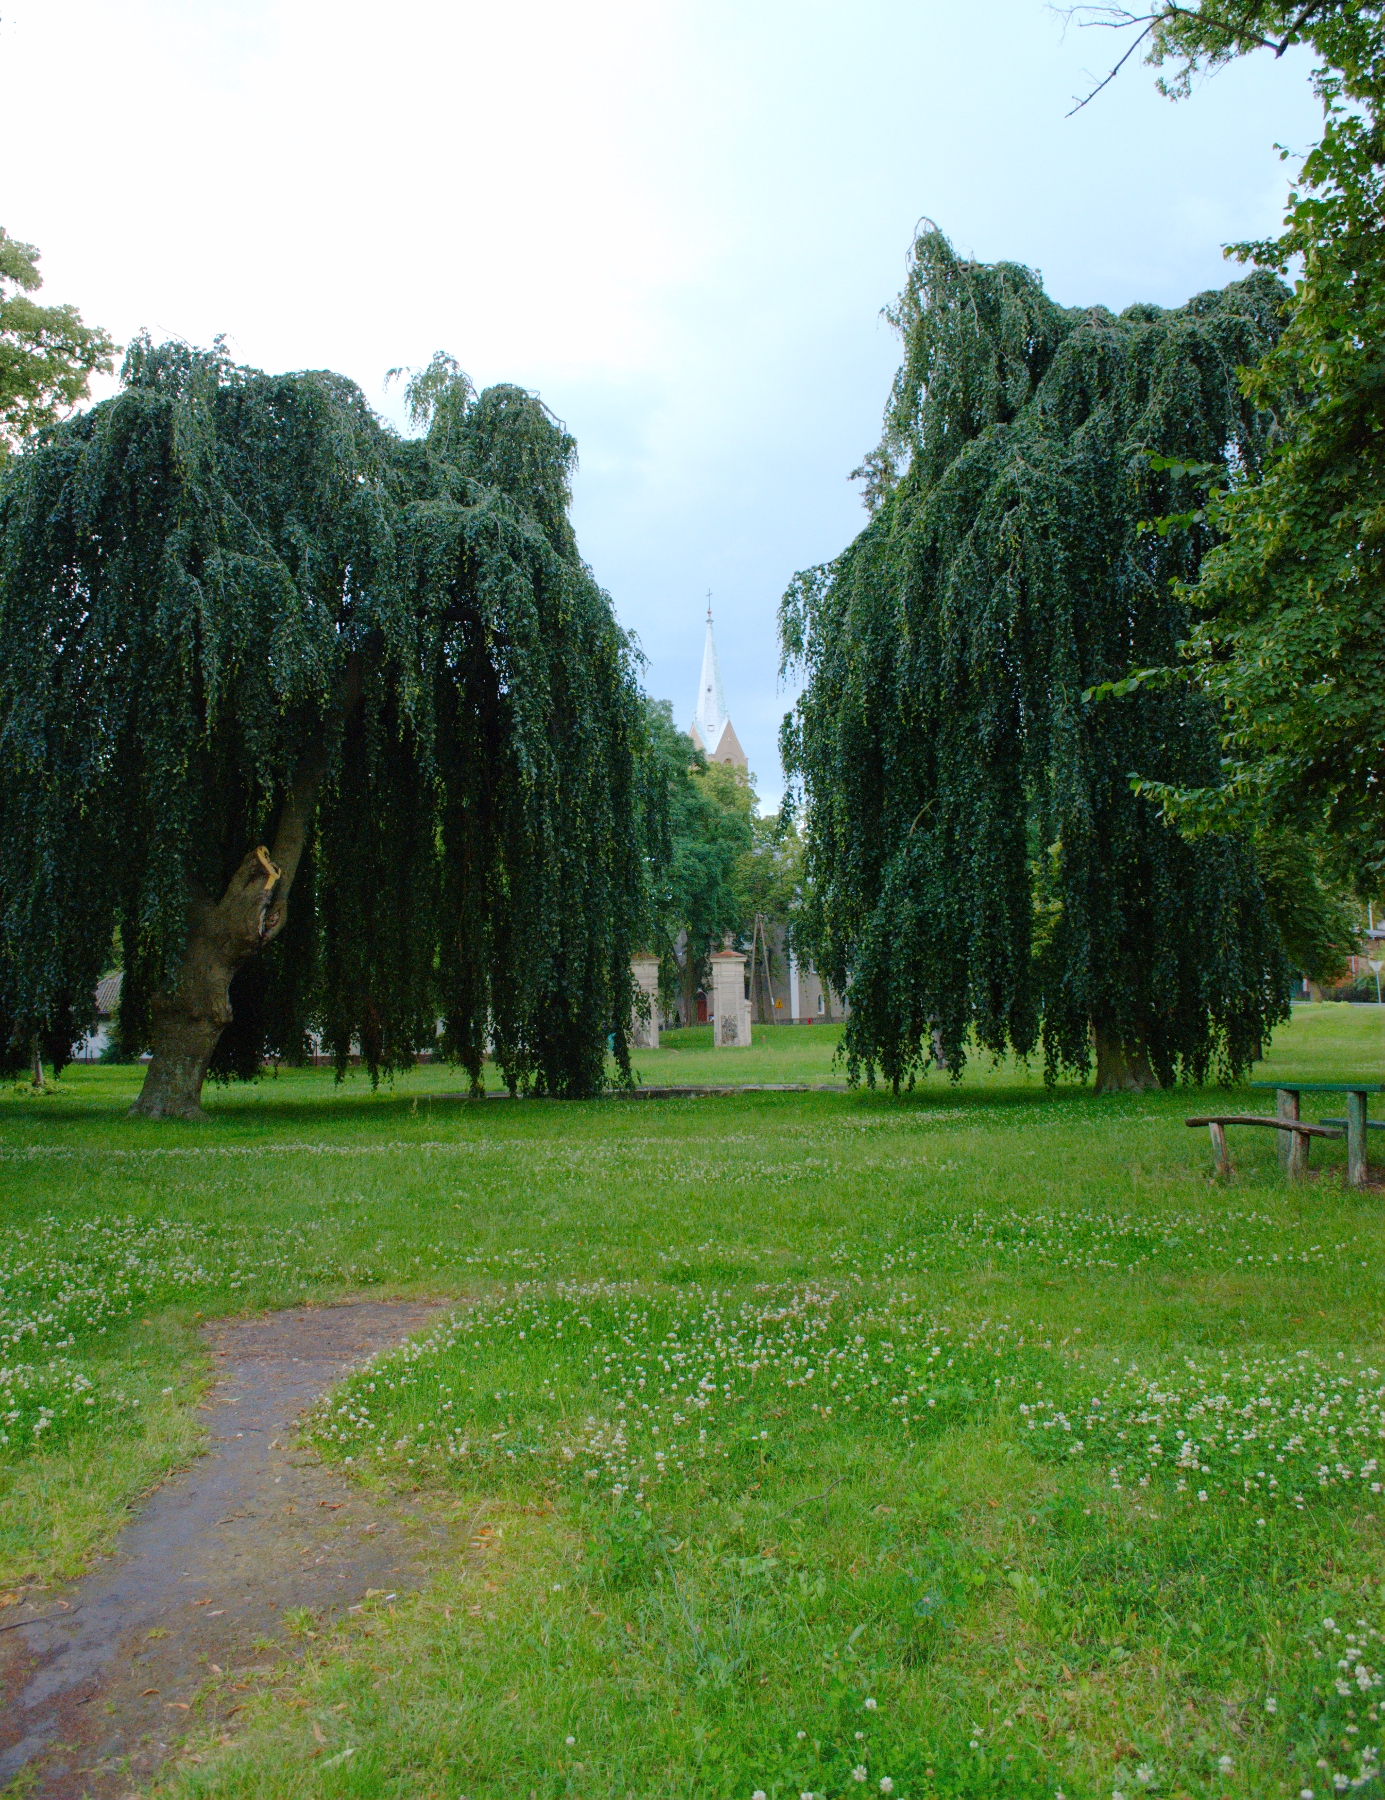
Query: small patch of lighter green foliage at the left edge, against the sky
(48, 355)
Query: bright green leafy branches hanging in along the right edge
(1290, 636)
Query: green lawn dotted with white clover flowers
(833, 1444)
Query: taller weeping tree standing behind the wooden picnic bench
(977, 858)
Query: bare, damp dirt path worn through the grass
(96, 1687)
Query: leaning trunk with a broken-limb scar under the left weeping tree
(190, 1016)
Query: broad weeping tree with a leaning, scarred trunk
(334, 728)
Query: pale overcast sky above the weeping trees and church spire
(678, 222)
